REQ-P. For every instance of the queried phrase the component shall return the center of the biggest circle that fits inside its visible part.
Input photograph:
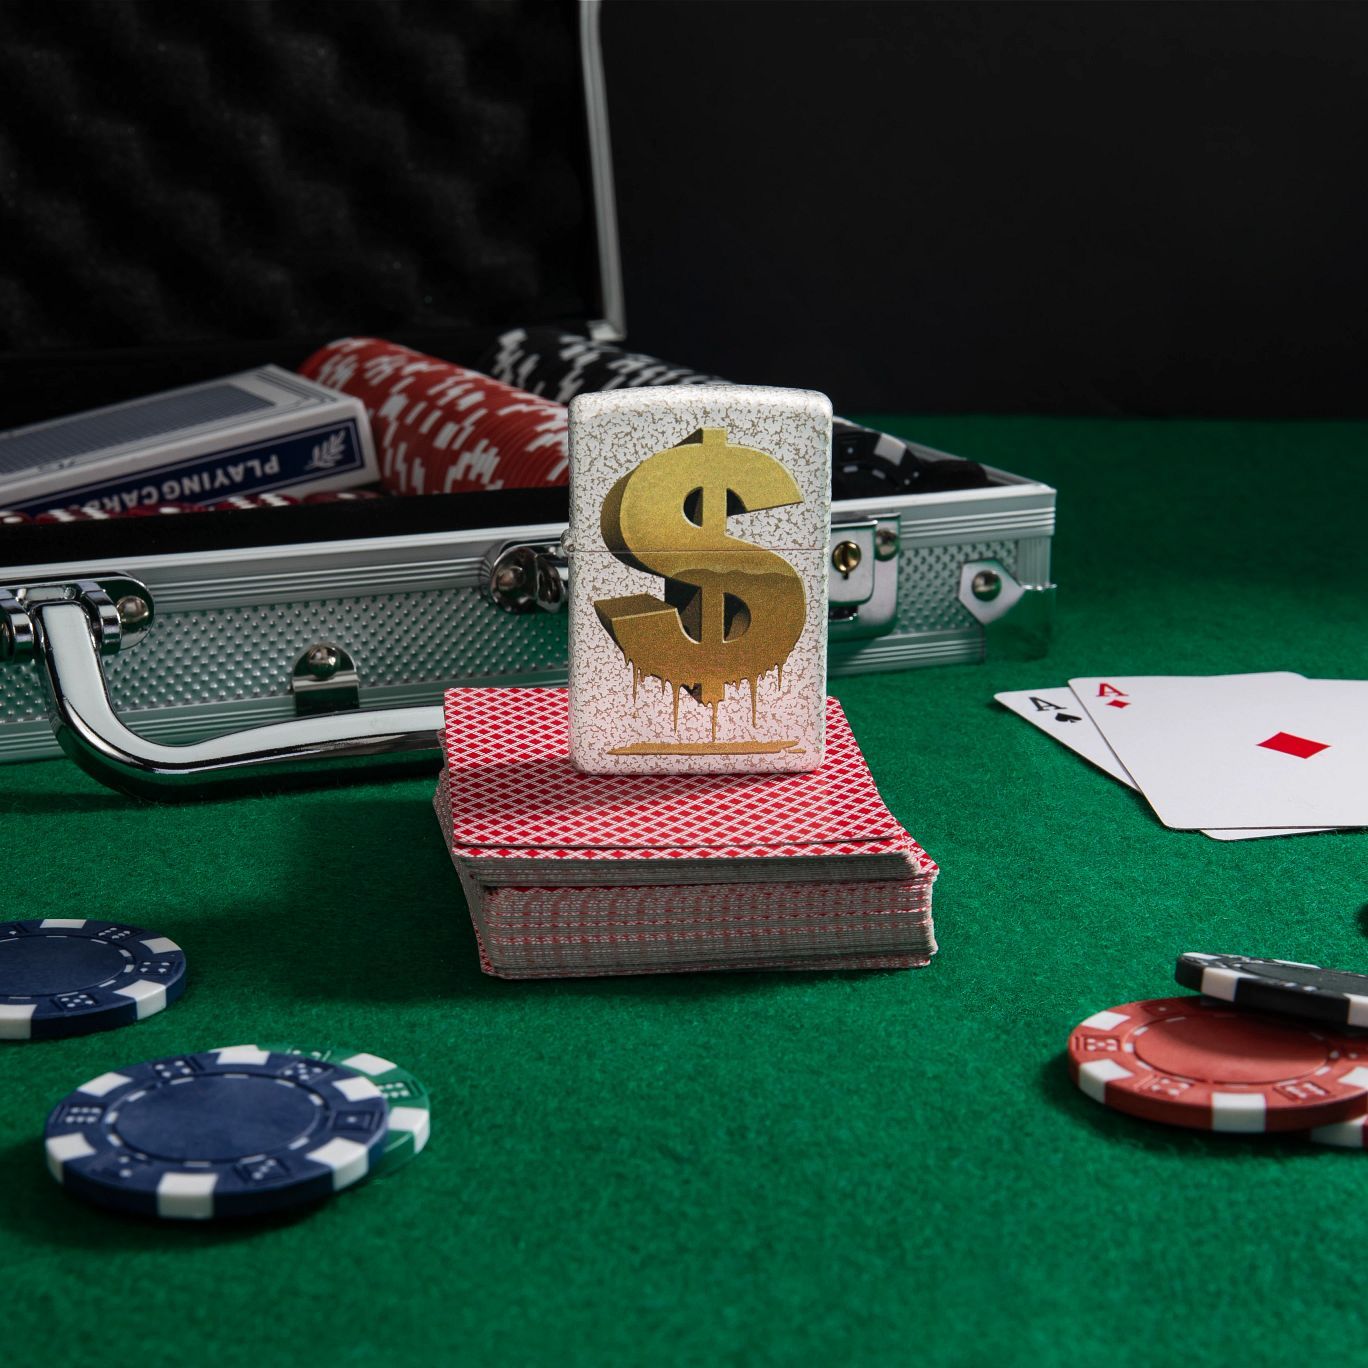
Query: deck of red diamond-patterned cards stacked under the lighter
(577, 875)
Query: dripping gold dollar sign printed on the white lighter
(733, 611)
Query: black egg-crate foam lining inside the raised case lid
(191, 188)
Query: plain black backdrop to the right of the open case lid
(1117, 209)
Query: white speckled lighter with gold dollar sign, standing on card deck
(698, 545)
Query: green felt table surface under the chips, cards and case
(826, 1169)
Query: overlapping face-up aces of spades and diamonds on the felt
(1233, 756)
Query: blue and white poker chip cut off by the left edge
(70, 976)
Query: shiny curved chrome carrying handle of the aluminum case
(66, 644)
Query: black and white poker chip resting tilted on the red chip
(1278, 986)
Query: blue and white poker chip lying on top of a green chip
(229, 1133)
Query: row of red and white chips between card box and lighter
(441, 429)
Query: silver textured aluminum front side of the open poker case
(469, 589)
